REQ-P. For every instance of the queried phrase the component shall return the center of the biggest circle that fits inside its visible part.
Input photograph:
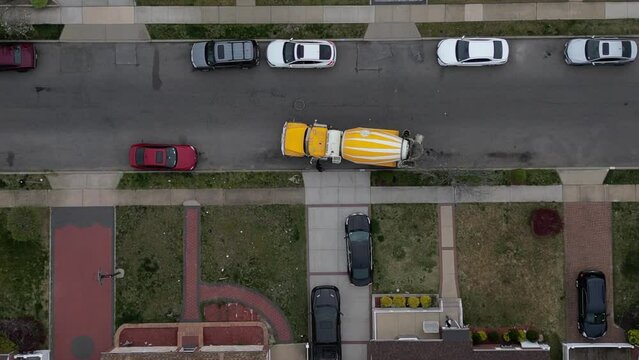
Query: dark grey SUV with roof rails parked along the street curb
(217, 54)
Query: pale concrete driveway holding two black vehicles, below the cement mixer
(327, 252)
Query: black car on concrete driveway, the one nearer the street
(359, 249)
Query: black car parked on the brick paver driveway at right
(591, 287)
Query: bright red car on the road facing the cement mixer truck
(163, 157)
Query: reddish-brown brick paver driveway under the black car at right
(588, 246)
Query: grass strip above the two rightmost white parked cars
(530, 28)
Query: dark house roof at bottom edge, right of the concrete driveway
(439, 350)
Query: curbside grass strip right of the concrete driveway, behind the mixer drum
(465, 177)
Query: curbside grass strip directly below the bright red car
(225, 180)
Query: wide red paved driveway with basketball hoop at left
(81, 307)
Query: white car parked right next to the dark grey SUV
(303, 54)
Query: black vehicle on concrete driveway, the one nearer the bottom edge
(326, 342)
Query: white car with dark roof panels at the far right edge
(600, 51)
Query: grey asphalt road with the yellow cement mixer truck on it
(86, 103)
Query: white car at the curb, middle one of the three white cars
(472, 52)
